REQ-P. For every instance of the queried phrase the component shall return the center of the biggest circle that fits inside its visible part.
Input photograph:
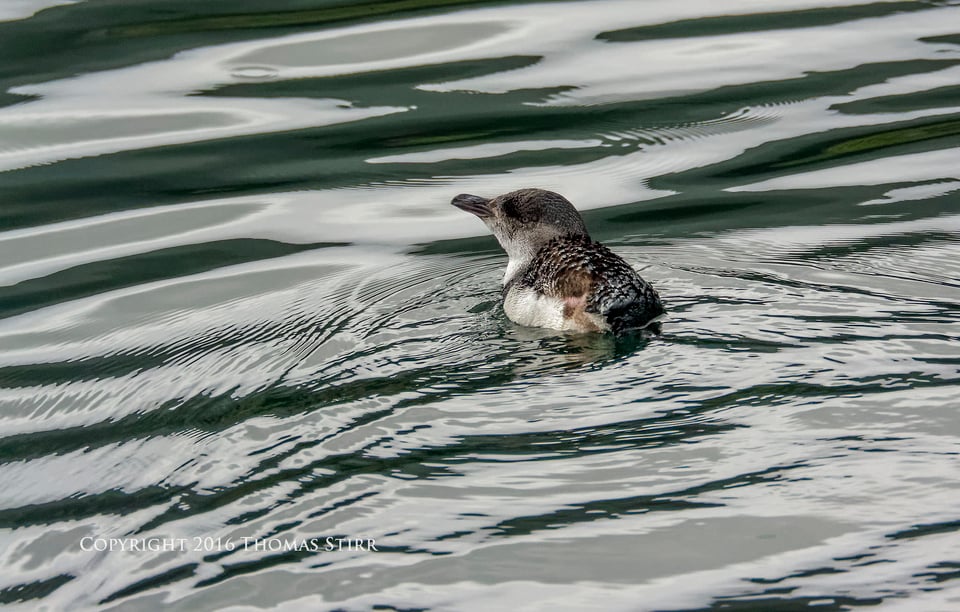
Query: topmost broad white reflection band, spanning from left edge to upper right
(77, 117)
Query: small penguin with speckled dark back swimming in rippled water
(557, 277)
